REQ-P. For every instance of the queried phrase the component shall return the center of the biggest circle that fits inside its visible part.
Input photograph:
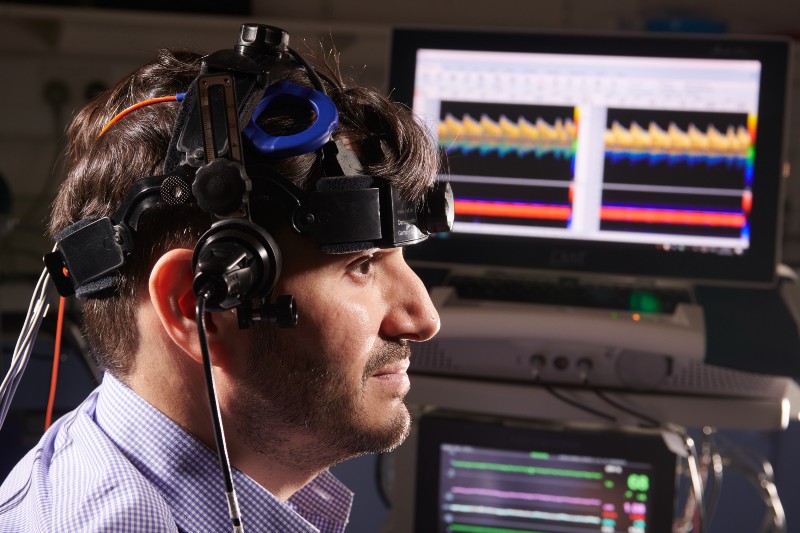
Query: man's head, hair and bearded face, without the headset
(341, 373)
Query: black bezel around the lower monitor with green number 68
(438, 428)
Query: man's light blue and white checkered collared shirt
(118, 464)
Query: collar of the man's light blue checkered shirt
(188, 475)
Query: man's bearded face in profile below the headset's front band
(336, 383)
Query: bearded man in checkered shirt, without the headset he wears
(138, 454)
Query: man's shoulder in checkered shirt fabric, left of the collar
(75, 479)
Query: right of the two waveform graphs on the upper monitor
(678, 173)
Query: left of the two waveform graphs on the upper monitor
(530, 150)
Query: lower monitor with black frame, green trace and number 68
(491, 477)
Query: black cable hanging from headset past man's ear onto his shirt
(216, 419)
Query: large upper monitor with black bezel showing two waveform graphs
(638, 154)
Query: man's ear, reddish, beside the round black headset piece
(174, 302)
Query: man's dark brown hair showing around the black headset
(100, 171)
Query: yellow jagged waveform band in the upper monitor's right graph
(734, 142)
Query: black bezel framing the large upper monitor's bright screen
(755, 267)
